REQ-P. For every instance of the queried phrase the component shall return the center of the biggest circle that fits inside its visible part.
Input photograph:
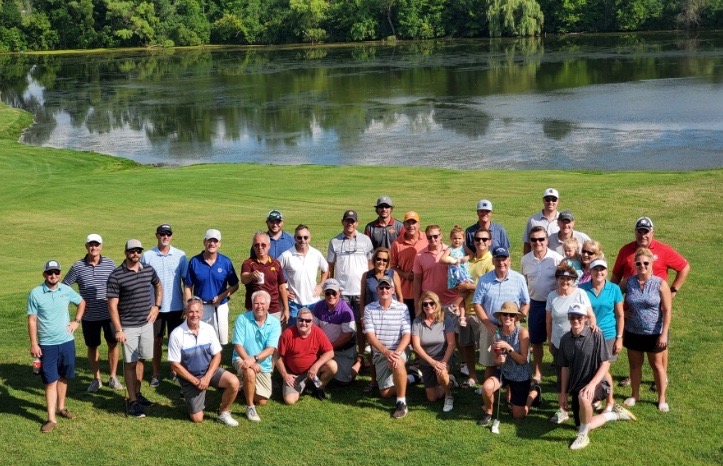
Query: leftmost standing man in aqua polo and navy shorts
(51, 339)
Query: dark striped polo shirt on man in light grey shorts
(133, 290)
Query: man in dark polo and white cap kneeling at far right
(585, 360)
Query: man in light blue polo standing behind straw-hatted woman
(494, 288)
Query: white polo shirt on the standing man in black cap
(351, 259)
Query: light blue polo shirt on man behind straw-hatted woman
(491, 292)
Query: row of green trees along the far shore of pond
(84, 24)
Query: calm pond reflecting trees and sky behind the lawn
(607, 102)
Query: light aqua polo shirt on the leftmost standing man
(51, 307)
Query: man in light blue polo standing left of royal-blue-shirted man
(171, 265)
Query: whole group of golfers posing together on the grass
(312, 317)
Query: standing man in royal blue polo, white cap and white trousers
(212, 278)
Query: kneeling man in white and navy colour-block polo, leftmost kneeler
(195, 355)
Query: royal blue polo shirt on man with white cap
(208, 281)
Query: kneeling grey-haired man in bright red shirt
(305, 358)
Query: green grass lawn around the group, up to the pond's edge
(51, 199)
